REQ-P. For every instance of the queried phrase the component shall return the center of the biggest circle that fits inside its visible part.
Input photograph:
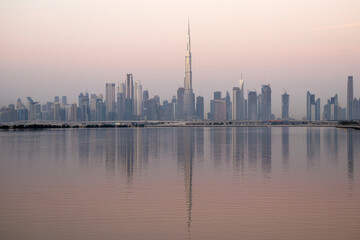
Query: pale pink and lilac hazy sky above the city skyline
(53, 48)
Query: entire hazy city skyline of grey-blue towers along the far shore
(128, 102)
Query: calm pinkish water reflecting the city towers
(180, 183)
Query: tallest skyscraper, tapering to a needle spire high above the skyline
(189, 97)
